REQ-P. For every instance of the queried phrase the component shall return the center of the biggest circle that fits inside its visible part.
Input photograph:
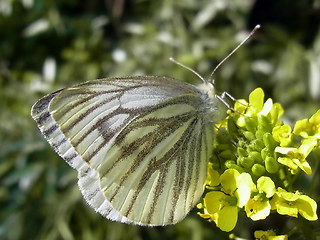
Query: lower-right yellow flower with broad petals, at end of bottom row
(287, 203)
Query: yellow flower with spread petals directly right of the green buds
(296, 157)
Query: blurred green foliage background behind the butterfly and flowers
(46, 45)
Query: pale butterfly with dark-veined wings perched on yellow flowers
(140, 144)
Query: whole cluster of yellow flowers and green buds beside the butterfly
(255, 157)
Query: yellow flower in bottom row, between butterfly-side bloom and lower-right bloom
(258, 207)
